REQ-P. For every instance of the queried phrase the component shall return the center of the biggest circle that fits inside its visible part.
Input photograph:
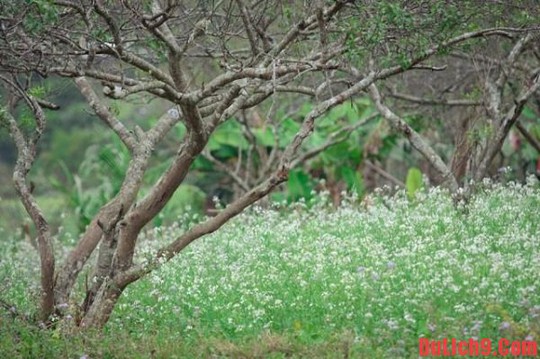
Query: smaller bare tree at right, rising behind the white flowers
(503, 81)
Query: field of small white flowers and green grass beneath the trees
(362, 281)
